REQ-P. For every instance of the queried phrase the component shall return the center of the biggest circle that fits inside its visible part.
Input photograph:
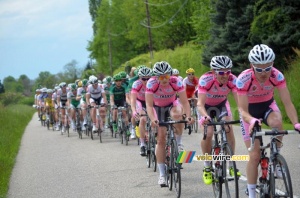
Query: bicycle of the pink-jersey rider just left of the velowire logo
(172, 168)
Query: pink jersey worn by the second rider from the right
(215, 92)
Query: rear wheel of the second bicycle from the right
(216, 173)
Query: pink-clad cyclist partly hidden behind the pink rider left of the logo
(138, 104)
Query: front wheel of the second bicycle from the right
(230, 180)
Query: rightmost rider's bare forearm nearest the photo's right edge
(288, 105)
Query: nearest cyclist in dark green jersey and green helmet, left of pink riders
(117, 99)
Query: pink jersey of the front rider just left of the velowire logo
(164, 95)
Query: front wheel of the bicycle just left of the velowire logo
(176, 175)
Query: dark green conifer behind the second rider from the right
(230, 32)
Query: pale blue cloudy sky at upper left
(37, 36)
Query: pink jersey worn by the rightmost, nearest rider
(247, 84)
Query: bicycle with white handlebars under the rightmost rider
(270, 185)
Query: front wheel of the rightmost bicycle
(281, 185)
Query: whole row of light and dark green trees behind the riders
(219, 27)
